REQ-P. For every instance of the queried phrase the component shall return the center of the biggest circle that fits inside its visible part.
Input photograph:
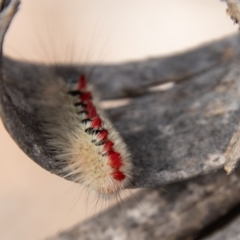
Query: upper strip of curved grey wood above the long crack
(133, 79)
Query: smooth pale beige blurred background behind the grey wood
(35, 204)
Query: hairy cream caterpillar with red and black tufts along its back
(84, 140)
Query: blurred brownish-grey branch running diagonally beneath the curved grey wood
(180, 212)
